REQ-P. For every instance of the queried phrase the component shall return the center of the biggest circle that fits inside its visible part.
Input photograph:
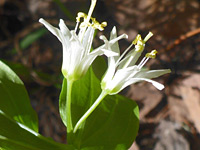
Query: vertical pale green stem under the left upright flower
(68, 109)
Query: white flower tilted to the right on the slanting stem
(123, 71)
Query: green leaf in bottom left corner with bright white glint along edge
(15, 136)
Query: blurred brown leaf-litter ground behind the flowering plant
(169, 119)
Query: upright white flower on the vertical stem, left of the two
(77, 57)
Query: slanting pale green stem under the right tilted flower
(90, 110)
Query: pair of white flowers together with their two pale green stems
(123, 70)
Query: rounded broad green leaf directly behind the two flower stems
(113, 125)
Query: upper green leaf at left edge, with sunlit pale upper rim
(14, 100)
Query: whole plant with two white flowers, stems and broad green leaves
(95, 115)
